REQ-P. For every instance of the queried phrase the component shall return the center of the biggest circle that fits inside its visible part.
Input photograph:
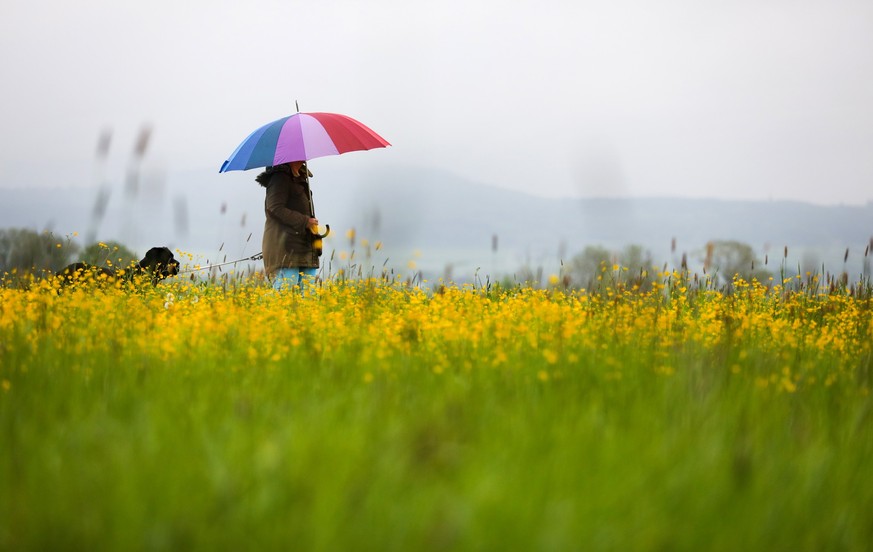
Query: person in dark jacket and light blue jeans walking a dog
(290, 255)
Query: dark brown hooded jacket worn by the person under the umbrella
(287, 242)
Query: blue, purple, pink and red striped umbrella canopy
(301, 137)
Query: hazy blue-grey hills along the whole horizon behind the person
(449, 219)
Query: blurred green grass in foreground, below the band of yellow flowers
(113, 450)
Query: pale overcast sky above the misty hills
(763, 99)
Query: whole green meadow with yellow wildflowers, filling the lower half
(368, 414)
